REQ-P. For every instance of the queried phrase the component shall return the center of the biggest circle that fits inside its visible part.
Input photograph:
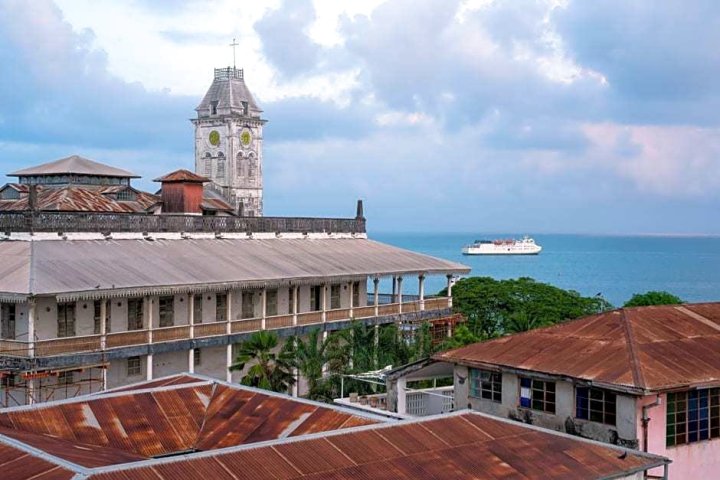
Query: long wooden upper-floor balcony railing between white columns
(93, 343)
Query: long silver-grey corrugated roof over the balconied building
(57, 267)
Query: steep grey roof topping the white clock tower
(229, 91)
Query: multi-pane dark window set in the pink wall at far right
(692, 416)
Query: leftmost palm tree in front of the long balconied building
(269, 371)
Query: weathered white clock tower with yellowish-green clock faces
(228, 141)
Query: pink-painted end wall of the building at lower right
(690, 461)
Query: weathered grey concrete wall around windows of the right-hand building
(624, 432)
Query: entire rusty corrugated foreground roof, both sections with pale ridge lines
(190, 427)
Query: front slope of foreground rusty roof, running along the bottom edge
(456, 446)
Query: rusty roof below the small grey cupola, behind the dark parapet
(81, 198)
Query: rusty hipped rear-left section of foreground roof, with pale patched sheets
(176, 414)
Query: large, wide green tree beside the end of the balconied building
(498, 307)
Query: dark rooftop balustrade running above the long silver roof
(134, 222)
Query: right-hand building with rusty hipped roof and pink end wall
(647, 378)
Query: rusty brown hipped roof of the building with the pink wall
(644, 349)
